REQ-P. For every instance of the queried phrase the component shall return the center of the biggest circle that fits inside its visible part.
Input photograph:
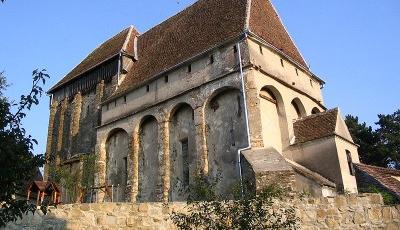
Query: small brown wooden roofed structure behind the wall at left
(43, 189)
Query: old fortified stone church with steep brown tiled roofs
(220, 89)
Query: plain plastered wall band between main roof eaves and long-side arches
(179, 81)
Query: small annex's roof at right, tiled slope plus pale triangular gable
(321, 125)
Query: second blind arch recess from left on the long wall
(149, 161)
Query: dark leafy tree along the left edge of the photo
(18, 162)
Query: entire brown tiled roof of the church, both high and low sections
(201, 27)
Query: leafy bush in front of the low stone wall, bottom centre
(247, 212)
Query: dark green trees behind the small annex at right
(380, 147)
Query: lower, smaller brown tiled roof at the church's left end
(123, 41)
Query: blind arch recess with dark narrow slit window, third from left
(182, 144)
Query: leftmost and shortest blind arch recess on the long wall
(117, 153)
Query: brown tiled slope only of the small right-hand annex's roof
(316, 126)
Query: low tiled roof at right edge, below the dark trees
(388, 178)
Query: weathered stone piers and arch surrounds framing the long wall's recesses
(164, 114)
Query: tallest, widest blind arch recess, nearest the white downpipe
(225, 134)
